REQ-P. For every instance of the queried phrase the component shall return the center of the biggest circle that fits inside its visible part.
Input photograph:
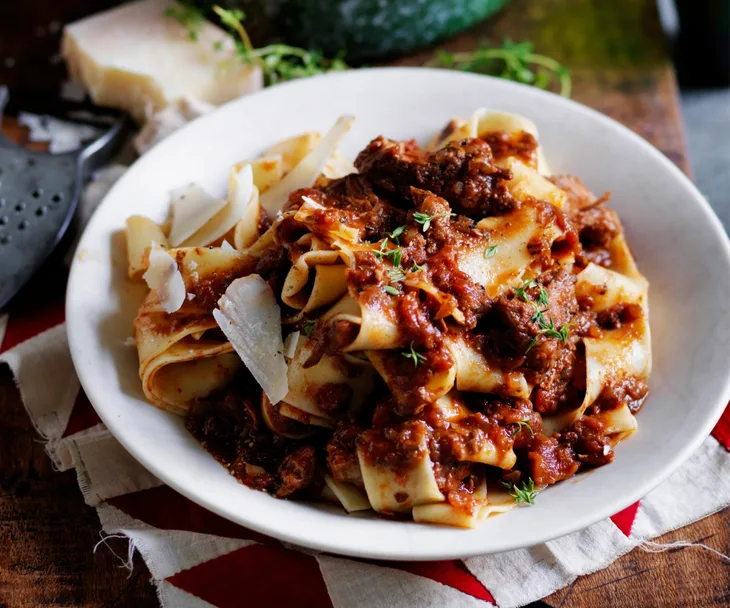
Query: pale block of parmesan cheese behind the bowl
(135, 58)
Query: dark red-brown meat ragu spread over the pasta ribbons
(457, 186)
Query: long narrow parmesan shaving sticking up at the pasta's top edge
(306, 172)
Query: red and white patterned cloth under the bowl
(198, 558)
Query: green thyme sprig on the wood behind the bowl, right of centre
(513, 61)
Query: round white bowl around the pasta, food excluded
(678, 242)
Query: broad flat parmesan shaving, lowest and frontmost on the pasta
(250, 318)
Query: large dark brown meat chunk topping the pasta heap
(461, 172)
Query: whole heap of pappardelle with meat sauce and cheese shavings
(432, 332)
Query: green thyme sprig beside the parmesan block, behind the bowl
(278, 62)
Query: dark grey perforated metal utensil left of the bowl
(39, 191)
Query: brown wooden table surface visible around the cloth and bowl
(618, 59)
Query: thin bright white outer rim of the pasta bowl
(340, 547)
